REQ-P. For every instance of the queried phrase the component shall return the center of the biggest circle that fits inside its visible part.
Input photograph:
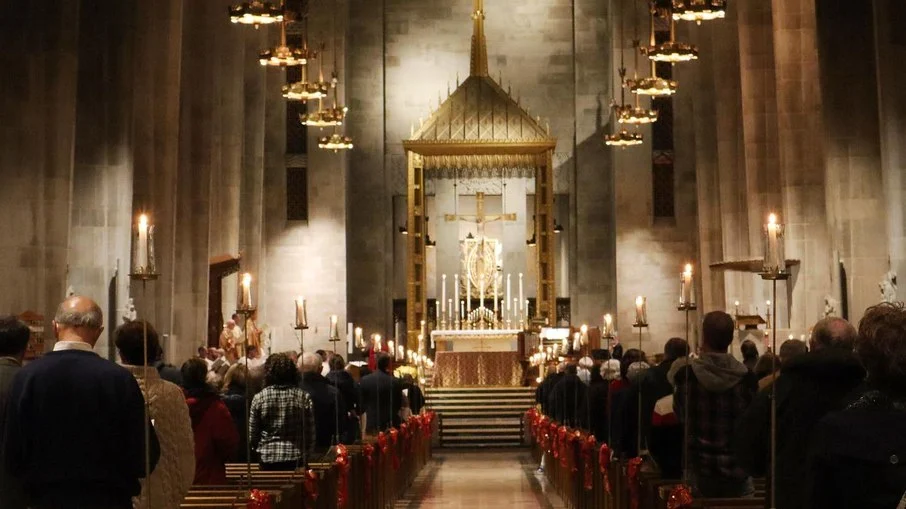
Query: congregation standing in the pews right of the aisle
(840, 408)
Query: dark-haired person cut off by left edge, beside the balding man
(14, 335)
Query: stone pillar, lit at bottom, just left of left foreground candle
(100, 231)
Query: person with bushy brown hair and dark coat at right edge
(858, 455)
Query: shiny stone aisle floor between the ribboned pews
(478, 479)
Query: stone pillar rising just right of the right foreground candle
(801, 144)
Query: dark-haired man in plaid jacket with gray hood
(719, 390)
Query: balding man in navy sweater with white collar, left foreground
(76, 429)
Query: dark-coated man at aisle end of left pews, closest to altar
(381, 396)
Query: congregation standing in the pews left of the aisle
(79, 431)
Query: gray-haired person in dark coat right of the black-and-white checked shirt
(330, 408)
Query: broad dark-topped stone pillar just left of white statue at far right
(855, 187)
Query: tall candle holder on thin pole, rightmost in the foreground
(774, 269)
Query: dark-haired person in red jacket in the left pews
(216, 438)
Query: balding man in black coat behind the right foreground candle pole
(809, 387)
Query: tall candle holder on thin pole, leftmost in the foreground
(143, 267)
